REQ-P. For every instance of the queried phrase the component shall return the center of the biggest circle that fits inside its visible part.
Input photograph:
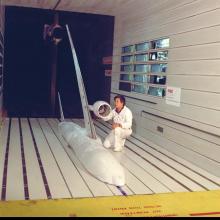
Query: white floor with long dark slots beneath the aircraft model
(36, 163)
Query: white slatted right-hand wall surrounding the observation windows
(192, 130)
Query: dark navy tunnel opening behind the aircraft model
(27, 72)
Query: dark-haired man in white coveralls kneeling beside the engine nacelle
(121, 127)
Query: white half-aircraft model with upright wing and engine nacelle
(87, 146)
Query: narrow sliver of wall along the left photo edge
(2, 21)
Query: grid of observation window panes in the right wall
(144, 67)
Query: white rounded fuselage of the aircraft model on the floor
(95, 158)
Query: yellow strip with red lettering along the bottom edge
(157, 205)
